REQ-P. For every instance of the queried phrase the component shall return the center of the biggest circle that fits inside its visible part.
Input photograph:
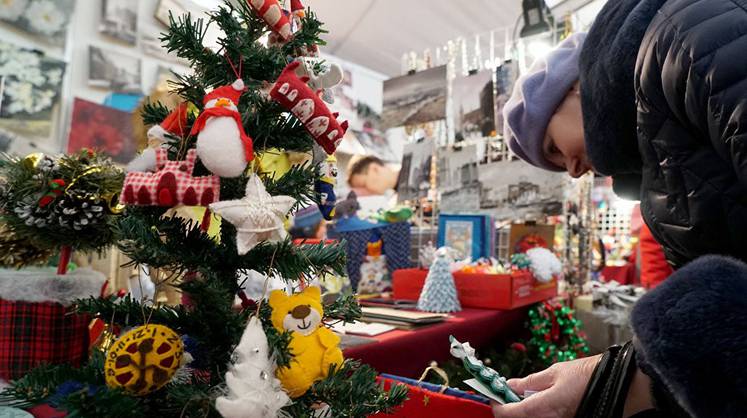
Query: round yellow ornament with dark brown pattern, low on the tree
(144, 359)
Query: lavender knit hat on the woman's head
(535, 97)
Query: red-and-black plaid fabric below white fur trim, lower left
(35, 333)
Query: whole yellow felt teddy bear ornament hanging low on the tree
(315, 348)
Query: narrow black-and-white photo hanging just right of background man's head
(414, 179)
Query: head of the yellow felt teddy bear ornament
(301, 312)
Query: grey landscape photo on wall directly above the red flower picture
(113, 71)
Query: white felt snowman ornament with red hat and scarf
(222, 145)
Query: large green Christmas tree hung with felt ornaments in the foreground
(205, 267)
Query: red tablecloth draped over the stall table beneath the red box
(407, 353)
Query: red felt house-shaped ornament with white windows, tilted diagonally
(297, 97)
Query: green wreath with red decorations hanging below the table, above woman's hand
(556, 333)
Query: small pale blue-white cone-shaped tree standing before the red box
(439, 292)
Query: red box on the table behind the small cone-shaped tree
(489, 291)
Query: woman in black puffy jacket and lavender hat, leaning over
(655, 95)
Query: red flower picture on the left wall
(102, 128)
